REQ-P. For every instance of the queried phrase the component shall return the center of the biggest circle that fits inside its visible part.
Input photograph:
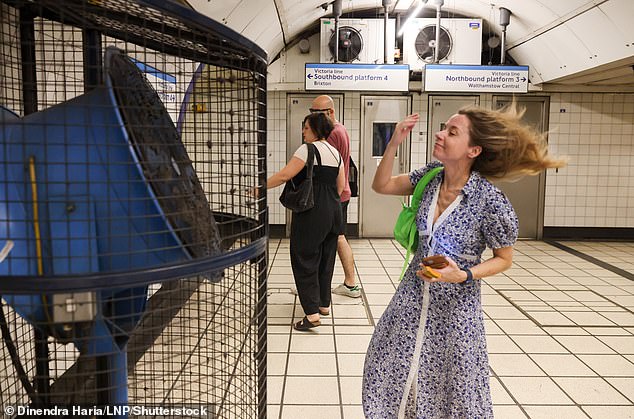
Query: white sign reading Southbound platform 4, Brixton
(366, 77)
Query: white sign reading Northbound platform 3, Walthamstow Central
(476, 78)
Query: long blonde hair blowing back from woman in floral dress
(511, 148)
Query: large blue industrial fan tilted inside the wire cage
(100, 183)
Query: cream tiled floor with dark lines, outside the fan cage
(560, 333)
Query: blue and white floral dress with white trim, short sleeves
(428, 356)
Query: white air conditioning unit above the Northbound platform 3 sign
(460, 42)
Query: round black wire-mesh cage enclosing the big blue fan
(168, 325)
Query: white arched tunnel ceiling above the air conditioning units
(588, 42)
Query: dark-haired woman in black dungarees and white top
(314, 232)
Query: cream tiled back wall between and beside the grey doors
(596, 131)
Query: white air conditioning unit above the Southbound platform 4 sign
(360, 41)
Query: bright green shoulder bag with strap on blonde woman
(405, 230)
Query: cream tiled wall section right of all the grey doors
(596, 189)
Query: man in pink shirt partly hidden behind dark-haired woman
(341, 141)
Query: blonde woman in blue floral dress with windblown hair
(428, 357)
